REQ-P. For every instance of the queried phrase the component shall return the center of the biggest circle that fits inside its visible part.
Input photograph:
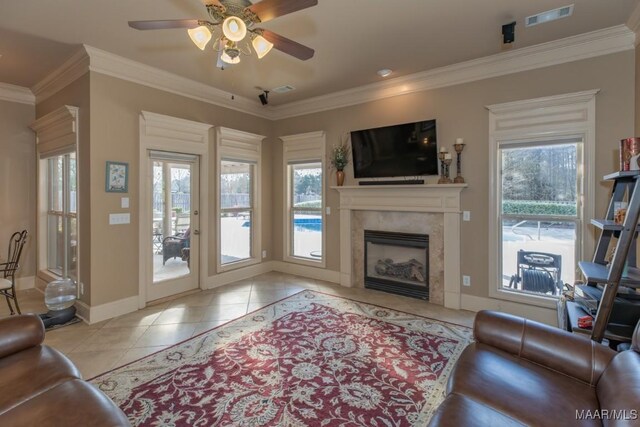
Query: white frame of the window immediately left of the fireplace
(302, 148)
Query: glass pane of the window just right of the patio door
(236, 211)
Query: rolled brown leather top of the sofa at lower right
(574, 355)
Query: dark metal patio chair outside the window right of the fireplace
(538, 272)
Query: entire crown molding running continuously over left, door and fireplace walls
(596, 43)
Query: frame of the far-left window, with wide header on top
(56, 134)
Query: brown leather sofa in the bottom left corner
(39, 386)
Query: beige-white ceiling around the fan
(352, 38)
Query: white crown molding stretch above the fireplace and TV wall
(583, 46)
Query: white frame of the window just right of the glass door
(235, 145)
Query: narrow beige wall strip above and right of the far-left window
(77, 94)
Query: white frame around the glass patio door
(160, 132)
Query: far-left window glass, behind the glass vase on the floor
(61, 235)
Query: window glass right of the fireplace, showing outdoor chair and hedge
(540, 215)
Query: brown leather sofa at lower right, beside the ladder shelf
(519, 372)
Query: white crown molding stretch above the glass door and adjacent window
(126, 69)
